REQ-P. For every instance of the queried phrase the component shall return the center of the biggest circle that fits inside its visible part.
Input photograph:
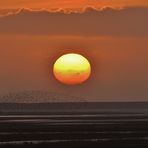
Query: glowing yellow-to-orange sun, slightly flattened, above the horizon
(72, 69)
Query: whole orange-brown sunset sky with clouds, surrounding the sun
(34, 33)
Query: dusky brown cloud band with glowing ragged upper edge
(92, 22)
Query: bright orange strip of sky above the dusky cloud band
(69, 3)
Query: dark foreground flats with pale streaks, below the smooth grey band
(75, 129)
